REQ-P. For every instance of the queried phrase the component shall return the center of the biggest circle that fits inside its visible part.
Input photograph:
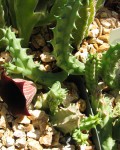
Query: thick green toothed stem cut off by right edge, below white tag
(110, 68)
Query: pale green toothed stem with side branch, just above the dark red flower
(24, 64)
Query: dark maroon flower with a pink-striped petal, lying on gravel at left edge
(17, 93)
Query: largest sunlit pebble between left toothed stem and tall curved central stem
(47, 57)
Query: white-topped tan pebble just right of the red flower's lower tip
(35, 114)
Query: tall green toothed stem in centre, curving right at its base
(62, 38)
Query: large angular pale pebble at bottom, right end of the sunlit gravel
(46, 139)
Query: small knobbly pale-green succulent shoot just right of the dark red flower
(52, 99)
